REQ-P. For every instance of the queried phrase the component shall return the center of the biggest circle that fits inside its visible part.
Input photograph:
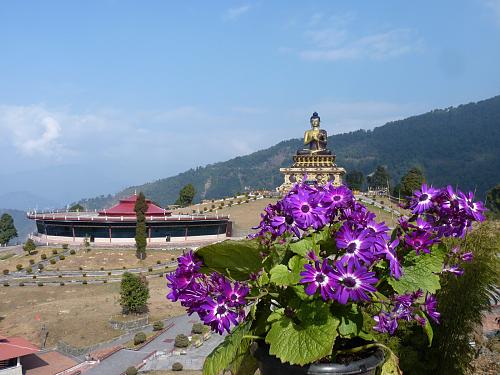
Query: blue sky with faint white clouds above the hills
(98, 95)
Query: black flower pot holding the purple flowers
(270, 365)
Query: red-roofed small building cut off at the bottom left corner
(12, 349)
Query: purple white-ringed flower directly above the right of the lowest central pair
(357, 244)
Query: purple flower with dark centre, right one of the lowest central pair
(352, 283)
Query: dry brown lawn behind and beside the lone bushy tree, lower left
(78, 314)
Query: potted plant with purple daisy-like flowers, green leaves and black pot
(307, 293)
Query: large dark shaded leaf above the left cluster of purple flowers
(234, 259)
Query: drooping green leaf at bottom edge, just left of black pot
(229, 353)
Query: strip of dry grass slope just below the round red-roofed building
(112, 259)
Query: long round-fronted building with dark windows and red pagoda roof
(117, 225)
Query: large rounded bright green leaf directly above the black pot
(304, 342)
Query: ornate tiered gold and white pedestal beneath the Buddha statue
(318, 168)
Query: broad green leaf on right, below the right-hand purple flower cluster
(420, 272)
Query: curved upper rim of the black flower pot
(359, 366)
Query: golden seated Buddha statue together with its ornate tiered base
(314, 162)
